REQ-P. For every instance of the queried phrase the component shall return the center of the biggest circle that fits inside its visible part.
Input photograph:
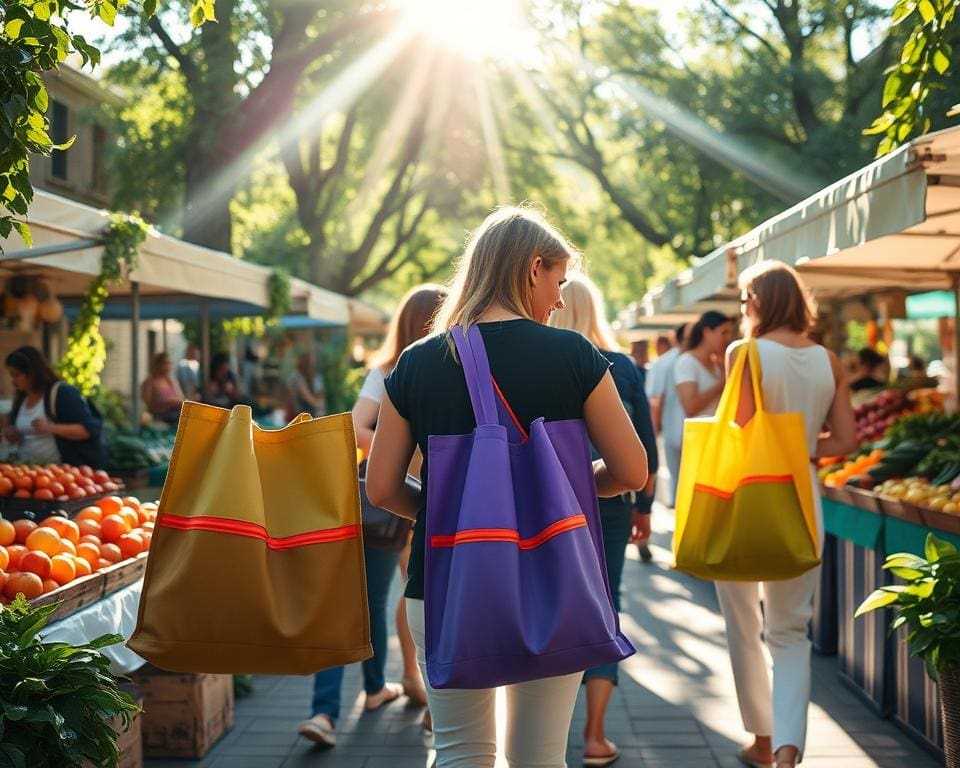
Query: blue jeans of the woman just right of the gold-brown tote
(380, 566)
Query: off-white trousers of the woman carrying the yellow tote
(787, 610)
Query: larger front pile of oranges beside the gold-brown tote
(36, 559)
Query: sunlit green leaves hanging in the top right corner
(925, 56)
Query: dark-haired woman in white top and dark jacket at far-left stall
(51, 422)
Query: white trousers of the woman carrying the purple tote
(464, 721)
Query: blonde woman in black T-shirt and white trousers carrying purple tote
(507, 284)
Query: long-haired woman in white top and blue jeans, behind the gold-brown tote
(410, 323)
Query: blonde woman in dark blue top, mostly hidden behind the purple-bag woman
(583, 313)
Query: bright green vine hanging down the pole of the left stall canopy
(86, 351)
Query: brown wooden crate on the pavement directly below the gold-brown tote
(184, 715)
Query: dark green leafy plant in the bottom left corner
(57, 700)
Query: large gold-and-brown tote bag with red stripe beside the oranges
(256, 563)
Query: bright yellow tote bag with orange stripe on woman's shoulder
(745, 508)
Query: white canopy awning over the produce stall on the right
(894, 224)
